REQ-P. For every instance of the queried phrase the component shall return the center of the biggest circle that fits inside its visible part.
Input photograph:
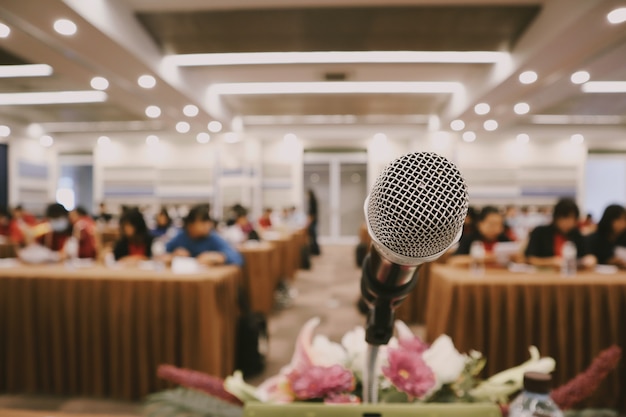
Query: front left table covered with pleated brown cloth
(97, 331)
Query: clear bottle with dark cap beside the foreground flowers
(535, 401)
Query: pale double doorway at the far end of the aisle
(339, 181)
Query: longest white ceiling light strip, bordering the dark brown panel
(338, 57)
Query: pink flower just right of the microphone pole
(408, 372)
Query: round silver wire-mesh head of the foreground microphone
(417, 206)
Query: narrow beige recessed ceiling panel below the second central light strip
(335, 104)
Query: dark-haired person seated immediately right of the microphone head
(489, 231)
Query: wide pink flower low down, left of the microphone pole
(320, 382)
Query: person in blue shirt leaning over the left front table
(198, 240)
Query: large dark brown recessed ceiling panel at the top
(427, 28)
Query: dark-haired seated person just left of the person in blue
(135, 243)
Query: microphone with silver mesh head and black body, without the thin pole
(414, 214)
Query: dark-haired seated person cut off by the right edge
(609, 235)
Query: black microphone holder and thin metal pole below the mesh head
(384, 285)
